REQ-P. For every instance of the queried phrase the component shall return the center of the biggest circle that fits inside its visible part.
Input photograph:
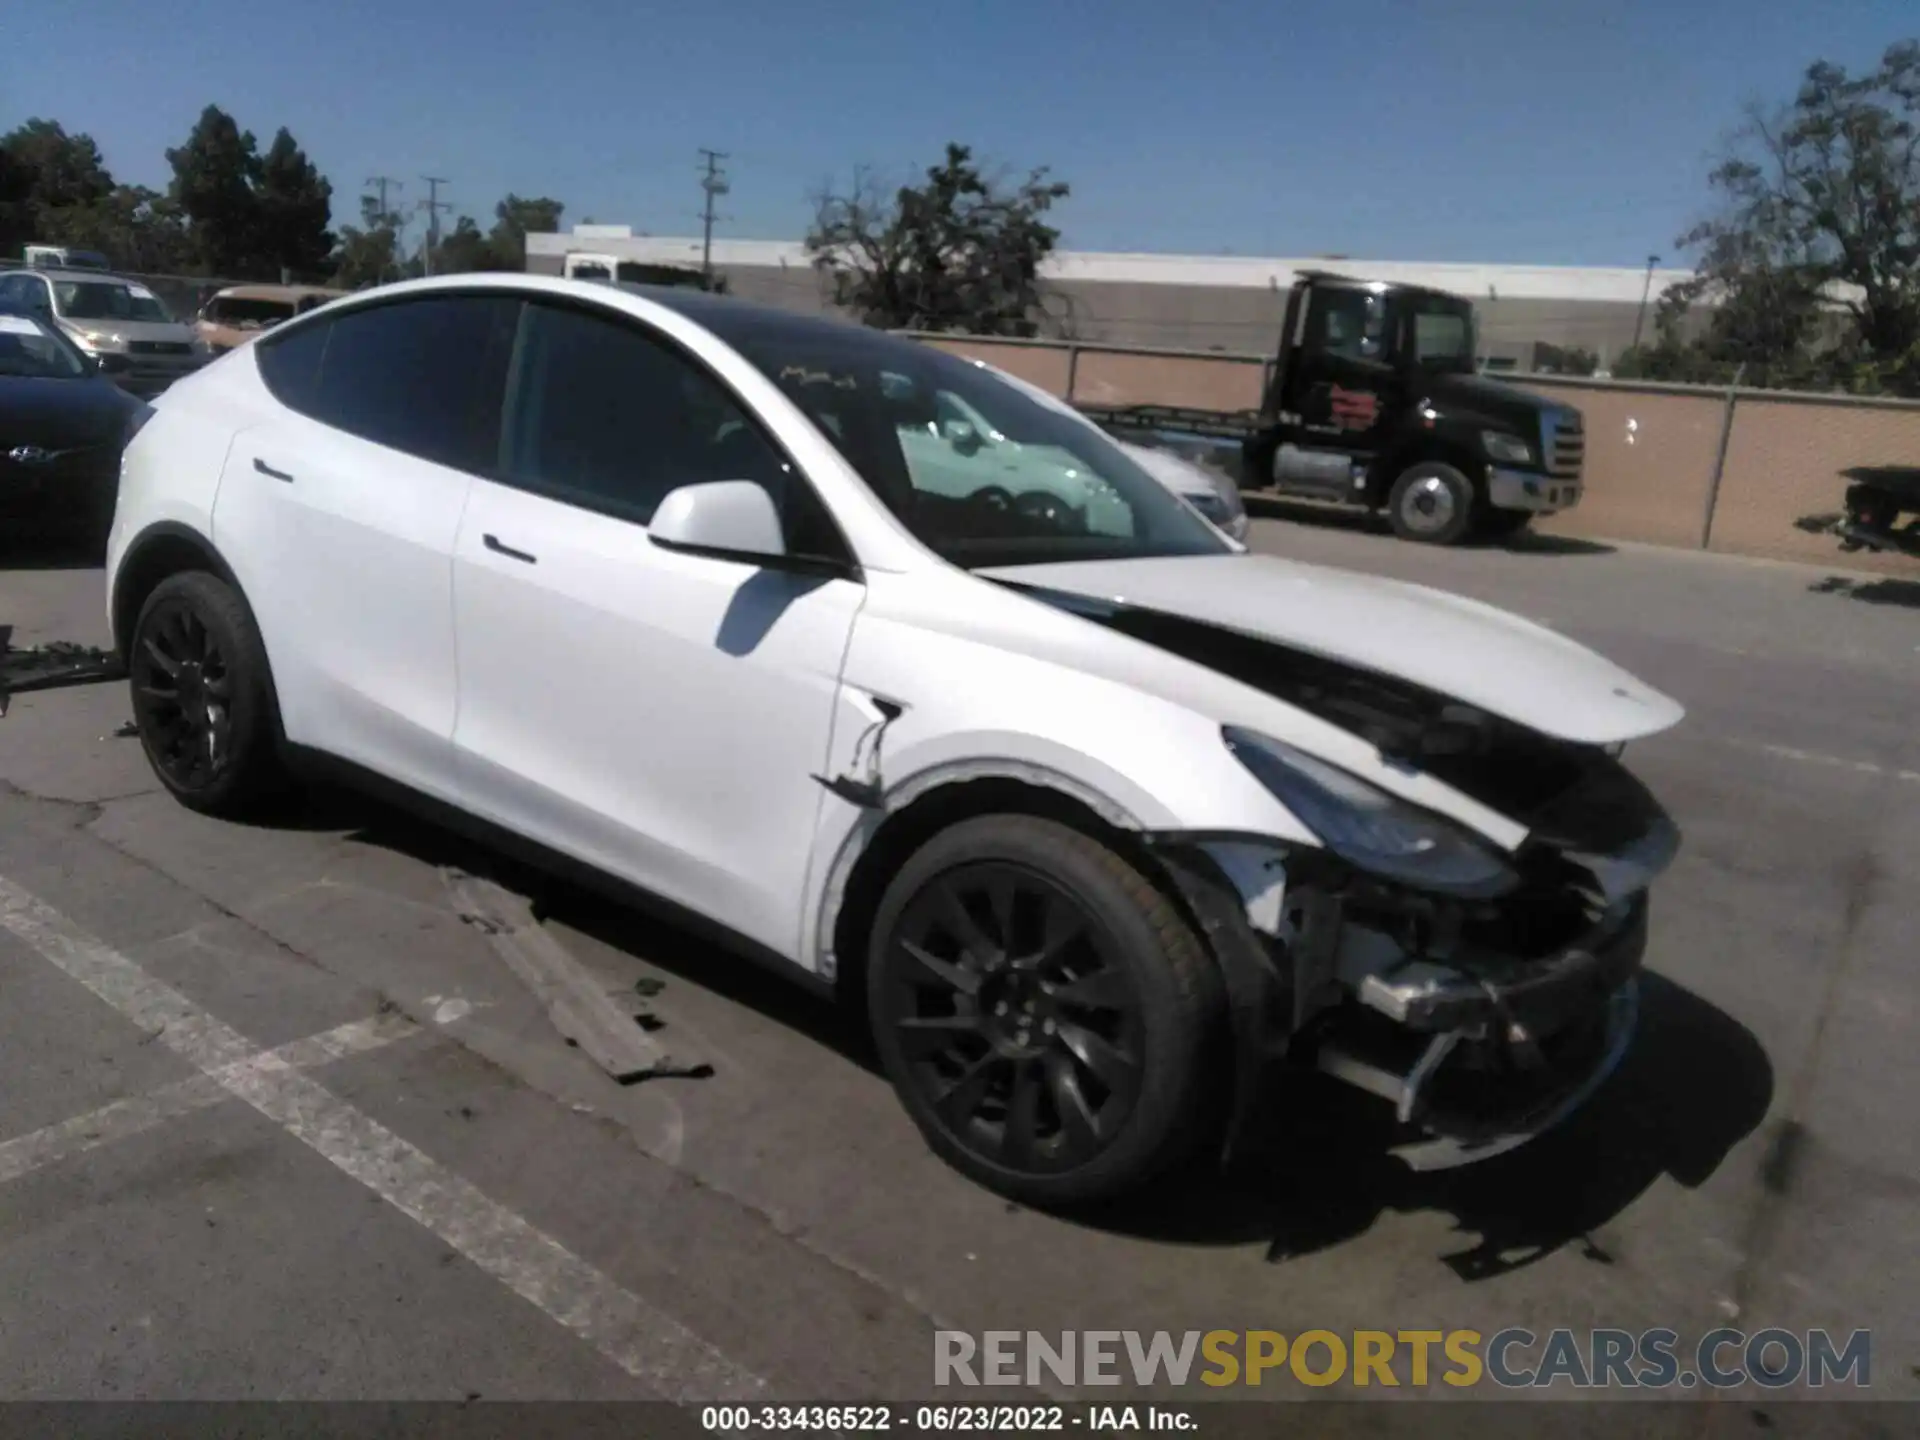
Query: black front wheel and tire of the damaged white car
(1109, 1017)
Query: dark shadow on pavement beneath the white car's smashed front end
(1694, 1086)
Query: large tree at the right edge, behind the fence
(1813, 252)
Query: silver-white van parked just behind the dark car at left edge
(120, 324)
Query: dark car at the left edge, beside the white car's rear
(62, 429)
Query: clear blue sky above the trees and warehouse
(1548, 132)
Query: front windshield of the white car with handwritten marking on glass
(982, 473)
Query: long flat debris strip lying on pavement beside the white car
(575, 1001)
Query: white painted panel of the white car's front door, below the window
(656, 715)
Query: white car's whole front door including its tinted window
(658, 715)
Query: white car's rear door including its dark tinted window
(341, 510)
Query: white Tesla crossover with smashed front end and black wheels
(1095, 813)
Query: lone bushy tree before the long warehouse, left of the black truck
(955, 254)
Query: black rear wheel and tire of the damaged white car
(222, 756)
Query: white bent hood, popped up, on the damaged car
(1441, 642)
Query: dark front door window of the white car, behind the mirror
(612, 420)
